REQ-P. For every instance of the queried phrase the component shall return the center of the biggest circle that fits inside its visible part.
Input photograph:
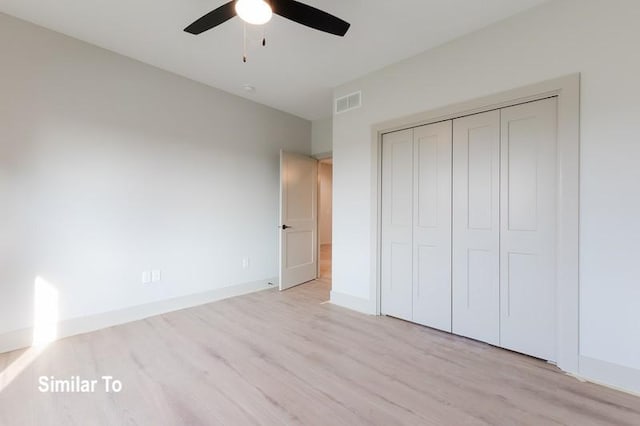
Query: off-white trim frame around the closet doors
(567, 91)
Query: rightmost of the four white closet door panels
(528, 234)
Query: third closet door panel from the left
(476, 226)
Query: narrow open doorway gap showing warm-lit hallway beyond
(325, 218)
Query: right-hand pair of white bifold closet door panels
(504, 227)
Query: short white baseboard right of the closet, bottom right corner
(619, 377)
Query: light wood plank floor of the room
(287, 358)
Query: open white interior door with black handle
(298, 219)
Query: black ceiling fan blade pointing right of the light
(310, 16)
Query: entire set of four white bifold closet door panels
(469, 226)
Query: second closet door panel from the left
(432, 226)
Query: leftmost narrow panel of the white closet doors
(397, 224)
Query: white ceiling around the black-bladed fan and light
(300, 66)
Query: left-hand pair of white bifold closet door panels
(416, 225)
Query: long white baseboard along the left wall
(20, 339)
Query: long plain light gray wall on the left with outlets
(109, 167)
